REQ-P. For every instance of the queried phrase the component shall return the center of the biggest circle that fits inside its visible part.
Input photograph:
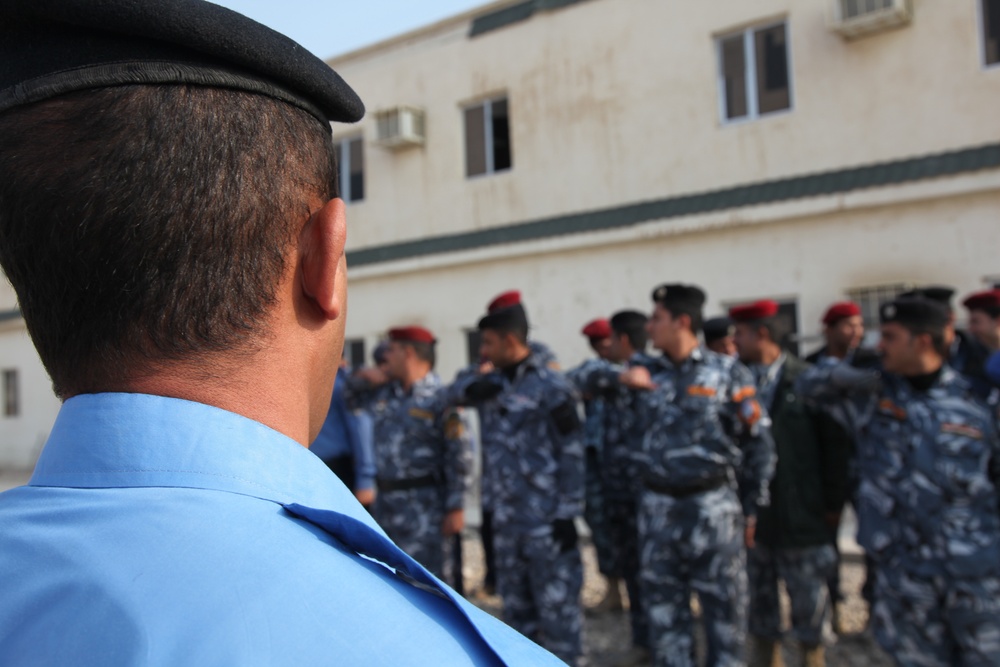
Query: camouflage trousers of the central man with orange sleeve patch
(694, 545)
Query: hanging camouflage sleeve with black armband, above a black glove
(566, 432)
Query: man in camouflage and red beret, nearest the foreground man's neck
(422, 454)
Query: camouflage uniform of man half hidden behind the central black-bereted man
(620, 479)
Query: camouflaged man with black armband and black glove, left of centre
(533, 474)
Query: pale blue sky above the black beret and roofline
(331, 27)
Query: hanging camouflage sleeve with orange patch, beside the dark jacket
(754, 438)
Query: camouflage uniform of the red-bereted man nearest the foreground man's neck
(422, 457)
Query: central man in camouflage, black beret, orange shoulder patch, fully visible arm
(707, 458)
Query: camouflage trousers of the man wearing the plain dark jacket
(806, 573)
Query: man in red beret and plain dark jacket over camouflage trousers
(807, 493)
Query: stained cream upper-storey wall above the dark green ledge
(617, 101)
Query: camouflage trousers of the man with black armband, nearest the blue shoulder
(540, 586)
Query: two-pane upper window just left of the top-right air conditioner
(754, 77)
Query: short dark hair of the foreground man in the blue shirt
(143, 224)
